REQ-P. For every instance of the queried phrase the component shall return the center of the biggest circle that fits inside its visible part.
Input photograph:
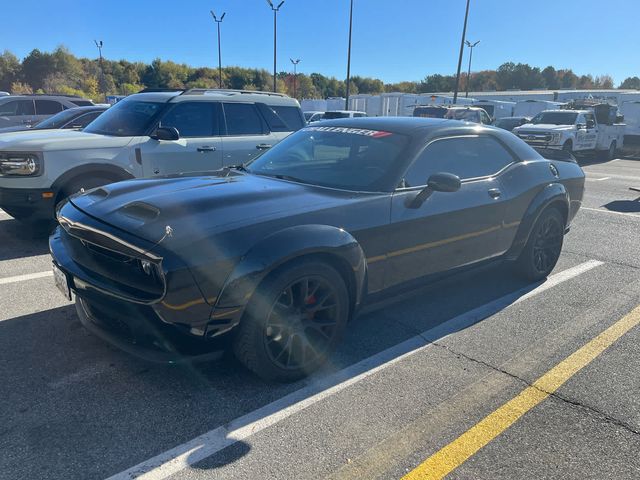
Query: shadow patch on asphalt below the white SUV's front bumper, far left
(18, 240)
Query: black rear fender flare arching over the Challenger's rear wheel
(552, 194)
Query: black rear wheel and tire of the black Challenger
(543, 248)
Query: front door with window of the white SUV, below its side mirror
(199, 147)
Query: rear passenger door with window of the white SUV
(246, 134)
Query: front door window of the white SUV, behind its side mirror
(192, 119)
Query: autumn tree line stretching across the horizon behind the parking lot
(62, 72)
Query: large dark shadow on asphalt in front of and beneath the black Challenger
(115, 411)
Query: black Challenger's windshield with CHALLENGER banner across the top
(339, 157)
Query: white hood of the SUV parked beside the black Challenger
(50, 140)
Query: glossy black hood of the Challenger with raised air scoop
(196, 207)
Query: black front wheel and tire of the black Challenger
(285, 333)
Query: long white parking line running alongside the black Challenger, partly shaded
(207, 444)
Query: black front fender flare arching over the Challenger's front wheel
(288, 244)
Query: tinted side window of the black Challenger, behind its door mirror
(467, 157)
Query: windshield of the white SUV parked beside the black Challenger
(127, 118)
